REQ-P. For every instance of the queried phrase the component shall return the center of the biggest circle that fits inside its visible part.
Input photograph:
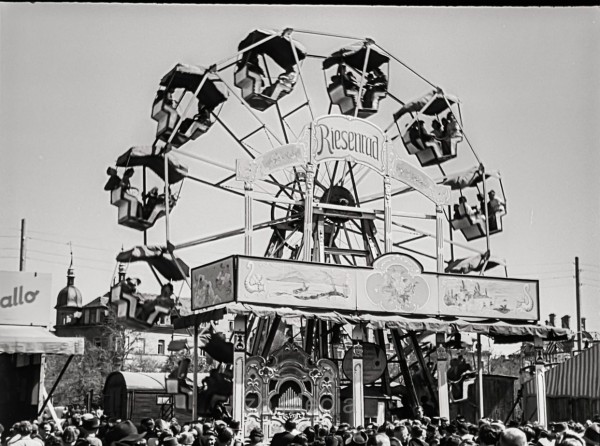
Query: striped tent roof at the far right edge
(577, 377)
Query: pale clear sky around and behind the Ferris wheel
(77, 83)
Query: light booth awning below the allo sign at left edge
(24, 339)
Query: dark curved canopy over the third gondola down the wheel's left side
(149, 157)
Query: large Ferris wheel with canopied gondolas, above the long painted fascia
(214, 121)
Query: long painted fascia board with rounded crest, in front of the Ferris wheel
(396, 284)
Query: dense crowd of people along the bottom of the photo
(94, 429)
